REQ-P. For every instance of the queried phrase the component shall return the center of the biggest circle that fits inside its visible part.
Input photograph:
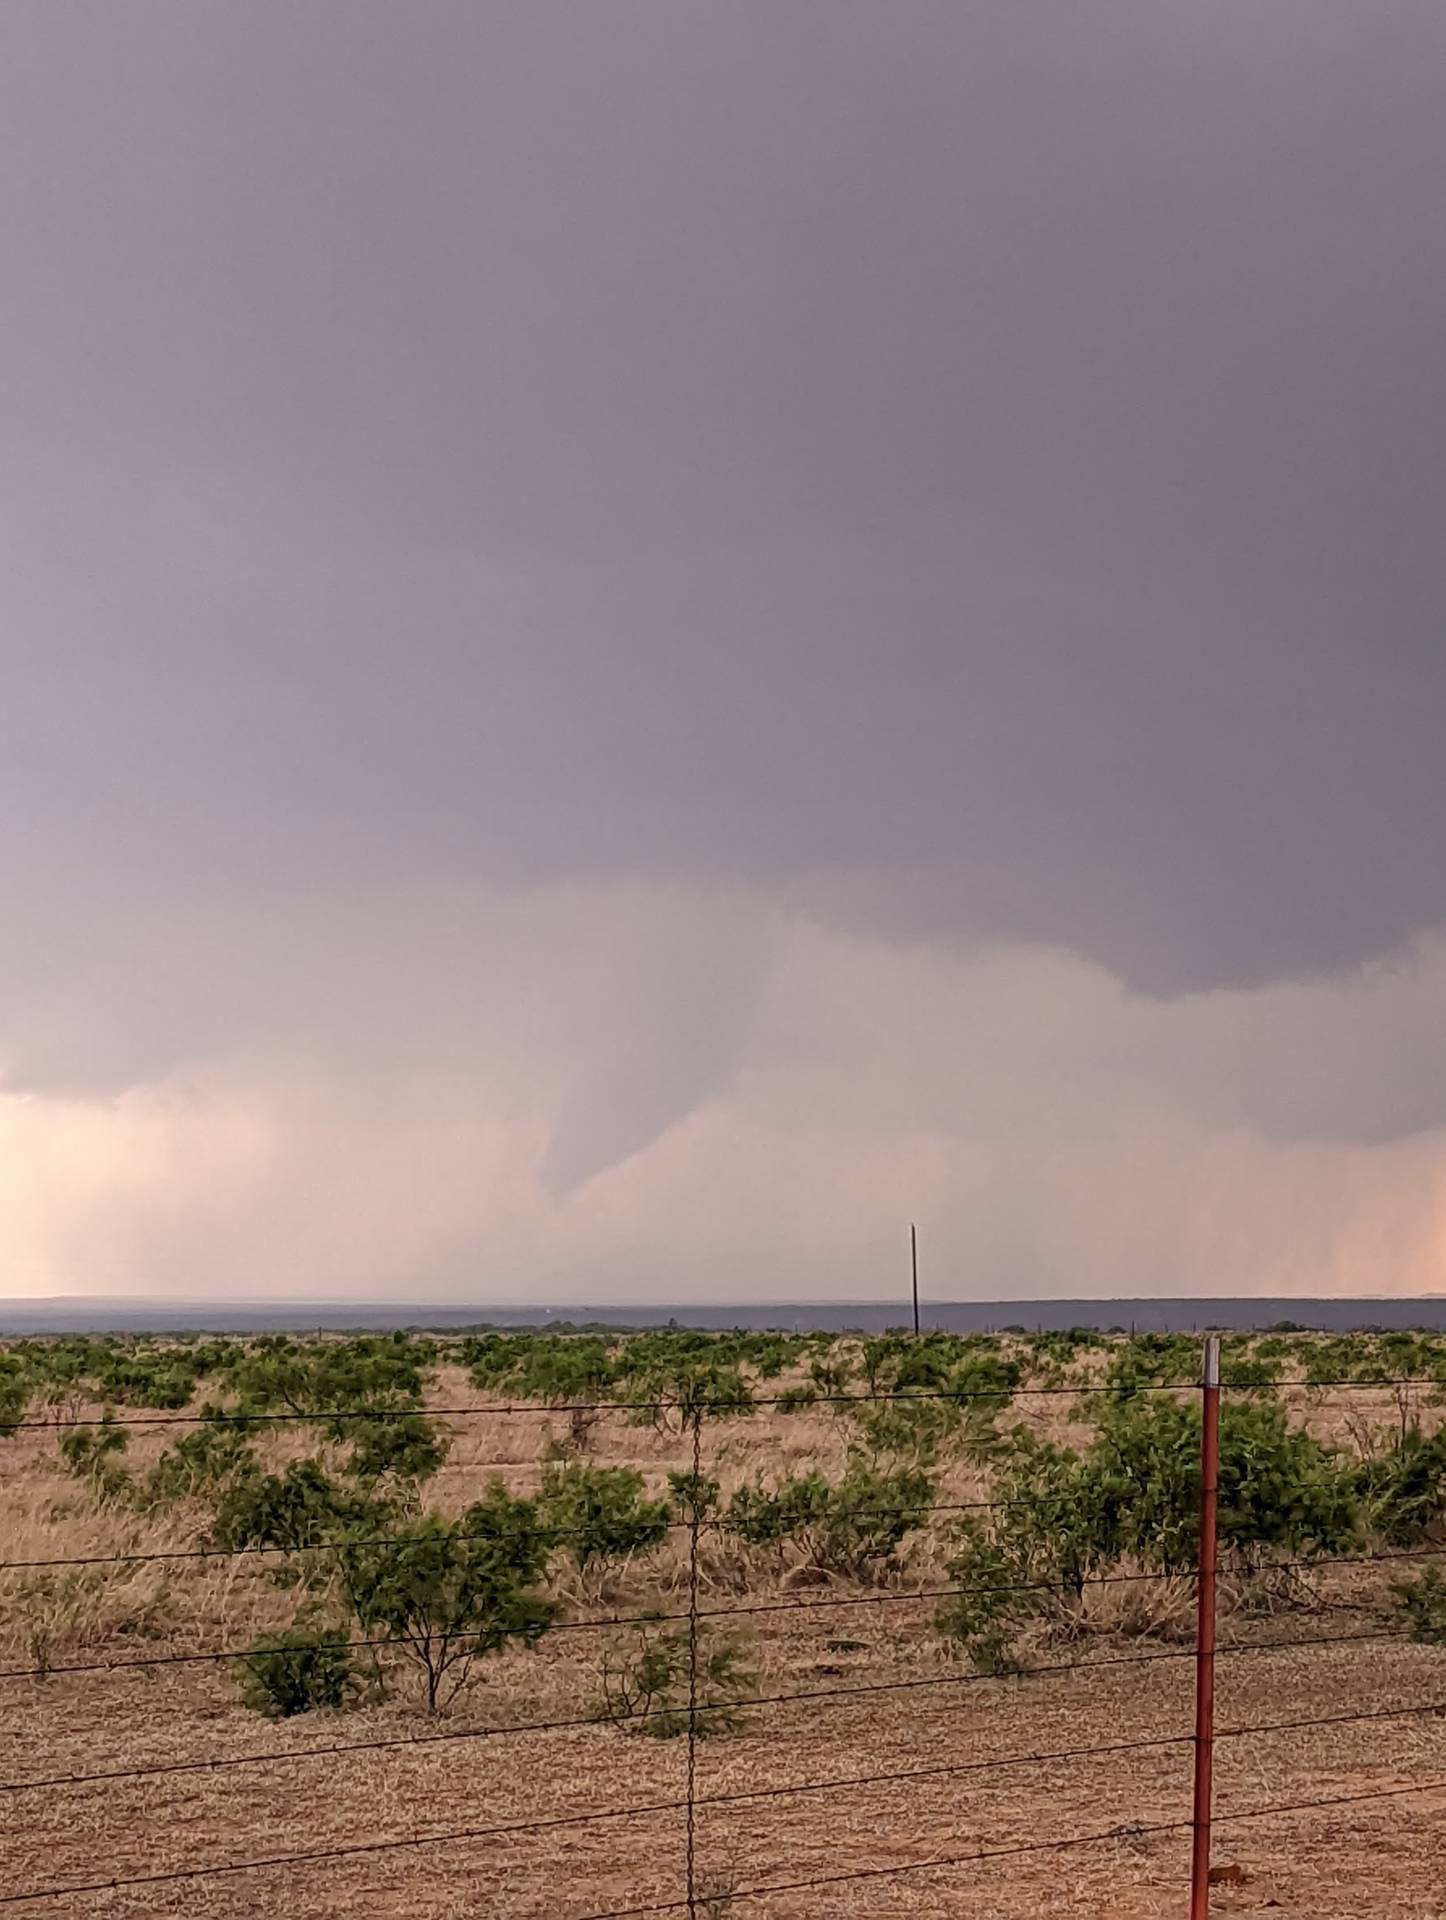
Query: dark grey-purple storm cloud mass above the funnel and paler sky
(971, 469)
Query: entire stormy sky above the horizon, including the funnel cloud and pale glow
(646, 638)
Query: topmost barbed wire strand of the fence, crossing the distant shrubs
(683, 1408)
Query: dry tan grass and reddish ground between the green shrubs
(425, 1800)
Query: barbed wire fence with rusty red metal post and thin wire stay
(690, 1806)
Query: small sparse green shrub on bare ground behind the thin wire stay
(646, 1683)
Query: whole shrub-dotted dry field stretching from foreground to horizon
(832, 1600)
